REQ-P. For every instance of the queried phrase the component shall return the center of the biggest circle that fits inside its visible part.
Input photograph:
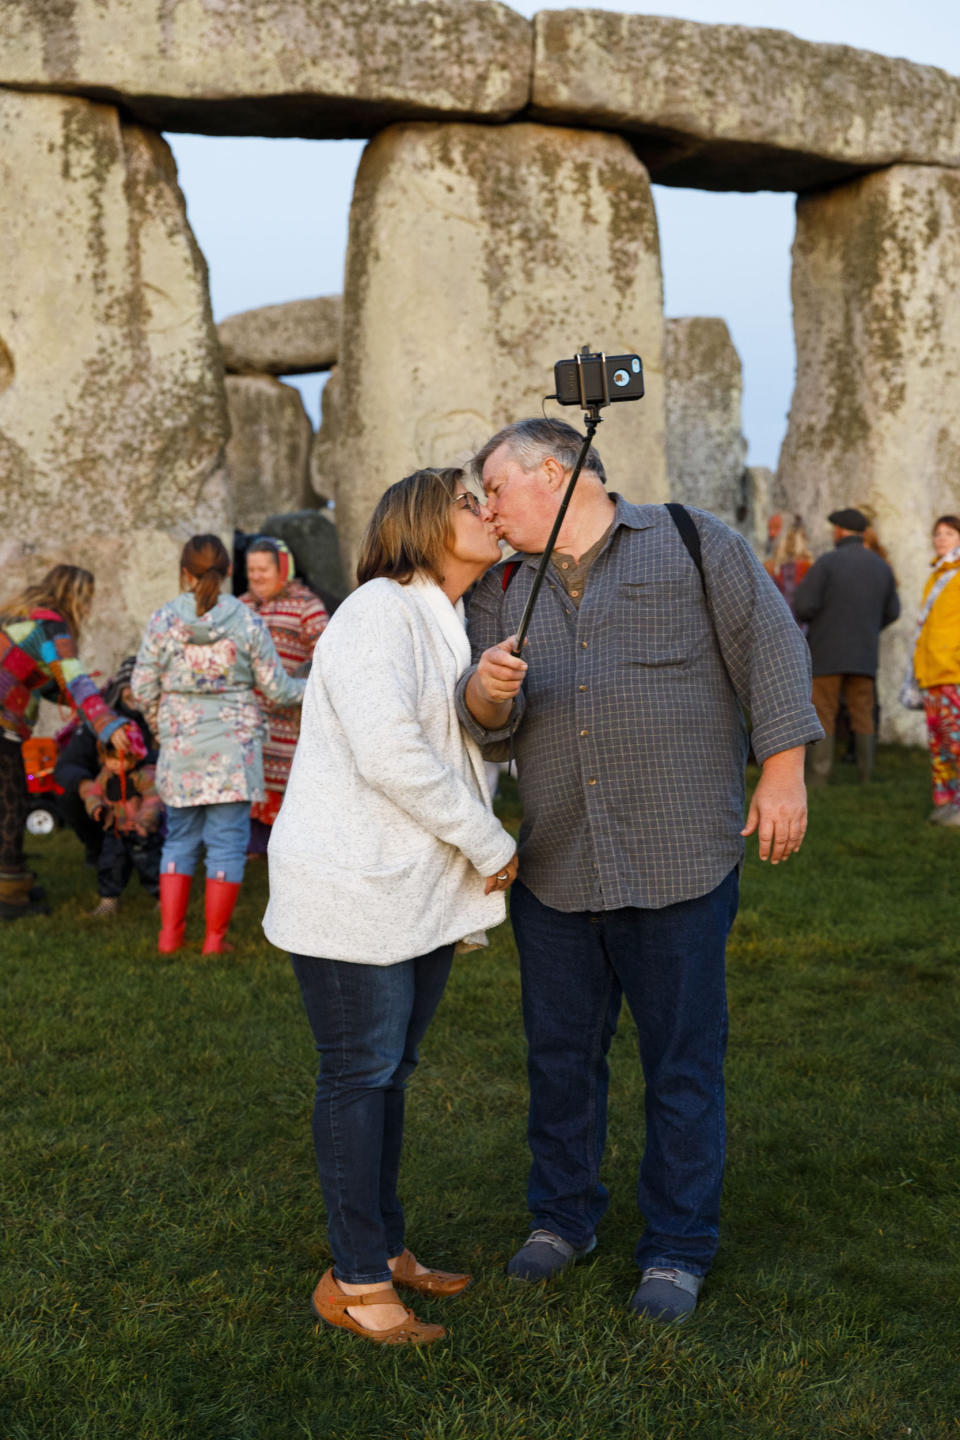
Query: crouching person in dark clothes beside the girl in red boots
(123, 801)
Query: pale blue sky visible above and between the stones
(271, 215)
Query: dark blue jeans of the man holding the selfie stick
(670, 964)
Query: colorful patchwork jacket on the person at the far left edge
(34, 653)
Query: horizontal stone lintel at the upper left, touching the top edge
(323, 70)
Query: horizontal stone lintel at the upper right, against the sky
(726, 107)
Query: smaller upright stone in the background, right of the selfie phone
(706, 449)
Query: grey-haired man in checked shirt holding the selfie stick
(631, 747)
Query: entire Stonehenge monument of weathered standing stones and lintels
(503, 218)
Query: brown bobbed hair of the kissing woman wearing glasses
(411, 528)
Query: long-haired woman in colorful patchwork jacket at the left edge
(40, 637)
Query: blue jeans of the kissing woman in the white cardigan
(368, 1022)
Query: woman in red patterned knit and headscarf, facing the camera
(296, 620)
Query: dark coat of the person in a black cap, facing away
(847, 600)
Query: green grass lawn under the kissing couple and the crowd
(163, 1230)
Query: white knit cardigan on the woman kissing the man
(386, 833)
